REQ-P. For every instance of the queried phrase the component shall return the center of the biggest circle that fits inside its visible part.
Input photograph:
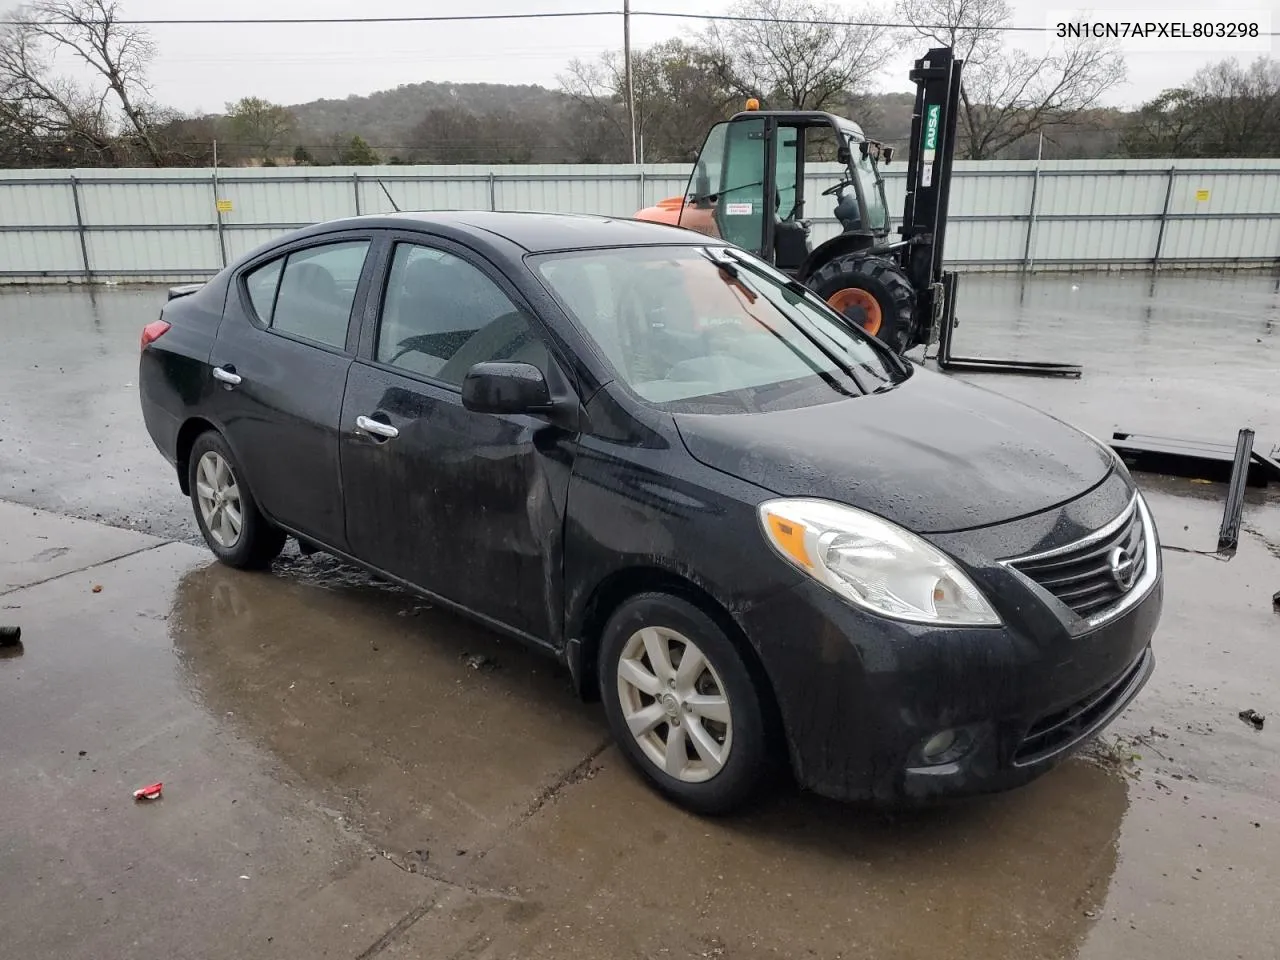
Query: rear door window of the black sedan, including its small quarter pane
(310, 292)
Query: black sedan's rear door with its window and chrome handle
(281, 358)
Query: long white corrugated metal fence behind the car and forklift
(173, 225)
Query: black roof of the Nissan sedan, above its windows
(541, 234)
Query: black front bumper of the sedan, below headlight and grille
(860, 696)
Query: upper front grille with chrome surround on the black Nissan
(1081, 575)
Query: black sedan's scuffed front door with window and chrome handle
(468, 506)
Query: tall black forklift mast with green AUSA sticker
(929, 186)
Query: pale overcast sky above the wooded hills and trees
(203, 67)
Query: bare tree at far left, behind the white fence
(116, 104)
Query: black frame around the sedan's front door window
(372, 322)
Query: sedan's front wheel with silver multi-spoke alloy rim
(721, 758)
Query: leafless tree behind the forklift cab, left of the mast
(798, 53)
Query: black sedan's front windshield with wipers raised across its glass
(715, 330)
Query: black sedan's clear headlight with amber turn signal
(874, 564)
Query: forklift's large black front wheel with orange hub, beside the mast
(874, 292)
